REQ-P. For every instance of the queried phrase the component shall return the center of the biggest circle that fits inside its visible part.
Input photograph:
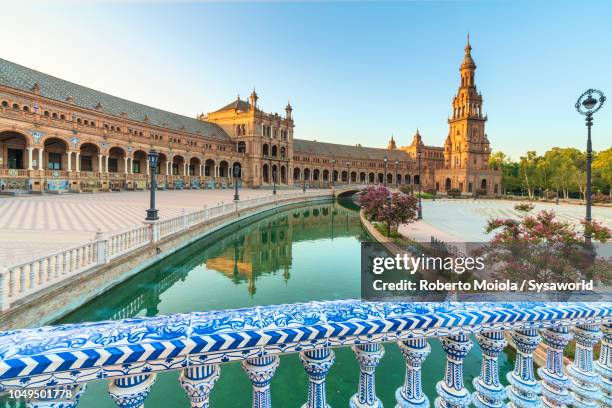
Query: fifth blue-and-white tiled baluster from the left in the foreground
(317, 363)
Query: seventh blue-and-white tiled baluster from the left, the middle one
(411, 393)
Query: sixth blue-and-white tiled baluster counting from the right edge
(451, 391)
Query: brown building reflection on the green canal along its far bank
(244, 252)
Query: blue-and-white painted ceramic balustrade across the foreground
(59, 361)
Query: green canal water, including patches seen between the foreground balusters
(294, 255)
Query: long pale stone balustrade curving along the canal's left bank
(20, 281)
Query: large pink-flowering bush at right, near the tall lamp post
(542, 248)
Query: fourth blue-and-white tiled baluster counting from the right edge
(524, 389)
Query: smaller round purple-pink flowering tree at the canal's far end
(393, 209)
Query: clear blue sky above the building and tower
(355, 72)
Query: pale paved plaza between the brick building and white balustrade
(34, 226)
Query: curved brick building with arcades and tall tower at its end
(59, 136)
